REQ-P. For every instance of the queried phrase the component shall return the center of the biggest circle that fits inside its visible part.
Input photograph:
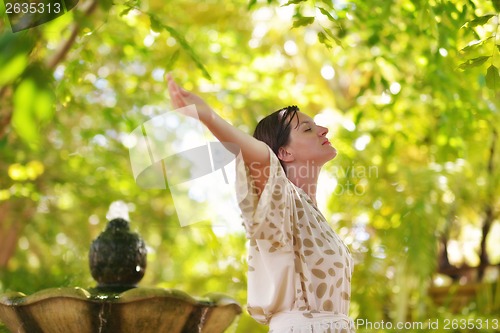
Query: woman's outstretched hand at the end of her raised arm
(181, 98)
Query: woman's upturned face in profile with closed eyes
(308, 142)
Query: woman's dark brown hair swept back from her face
(274, 129)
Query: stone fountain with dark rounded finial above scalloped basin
(117, 261)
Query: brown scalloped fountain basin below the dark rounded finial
(137, 310)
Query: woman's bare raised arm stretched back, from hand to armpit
(255, 153)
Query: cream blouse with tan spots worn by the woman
(296, 261)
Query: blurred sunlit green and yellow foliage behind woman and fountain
(409, 91)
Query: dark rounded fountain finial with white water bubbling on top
(117, 257)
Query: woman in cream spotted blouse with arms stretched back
(299, 271)
